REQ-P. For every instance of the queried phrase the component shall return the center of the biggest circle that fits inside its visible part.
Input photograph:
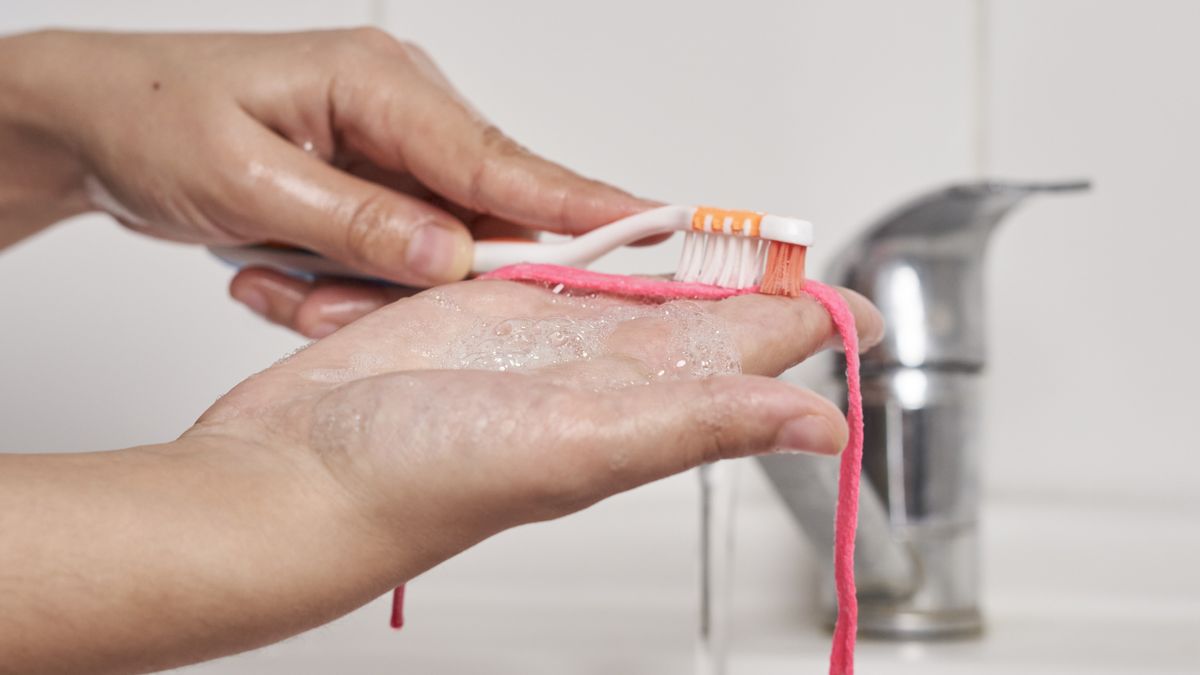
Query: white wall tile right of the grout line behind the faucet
(1094, 322)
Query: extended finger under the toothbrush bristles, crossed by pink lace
(775, 333)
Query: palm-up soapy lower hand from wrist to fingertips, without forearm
(446, 458)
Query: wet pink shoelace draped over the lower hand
(842, 658)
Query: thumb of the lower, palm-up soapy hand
(644, 434)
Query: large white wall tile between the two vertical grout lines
(817, 109)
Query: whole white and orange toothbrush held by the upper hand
(722, 248)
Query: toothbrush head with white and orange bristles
(746, 249)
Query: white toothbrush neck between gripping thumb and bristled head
(586, 248)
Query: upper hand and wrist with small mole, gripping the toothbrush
(350, 144)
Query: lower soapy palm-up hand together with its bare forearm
(352, 467)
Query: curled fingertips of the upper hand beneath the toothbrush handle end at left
(314, 310)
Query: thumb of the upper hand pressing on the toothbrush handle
(291, 196)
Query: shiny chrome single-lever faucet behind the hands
(917, 557)
